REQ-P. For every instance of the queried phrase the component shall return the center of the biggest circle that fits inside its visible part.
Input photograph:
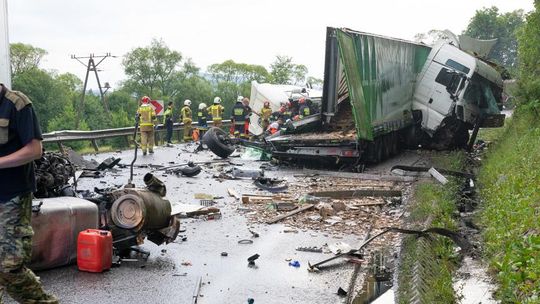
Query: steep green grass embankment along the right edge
(510, 188)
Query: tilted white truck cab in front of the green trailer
(454, 85)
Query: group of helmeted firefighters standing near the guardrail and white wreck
(271, 121)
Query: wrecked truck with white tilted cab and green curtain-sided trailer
(382, 94)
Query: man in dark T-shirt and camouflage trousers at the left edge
(20, 144)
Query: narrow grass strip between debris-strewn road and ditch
(427, 265)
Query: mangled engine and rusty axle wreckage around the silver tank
(131, 214)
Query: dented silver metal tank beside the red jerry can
(57, 223)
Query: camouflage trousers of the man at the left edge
(16, 251)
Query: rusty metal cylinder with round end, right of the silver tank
(140, 209)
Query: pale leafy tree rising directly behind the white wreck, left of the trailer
(284, 71)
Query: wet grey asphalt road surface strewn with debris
(163, 278)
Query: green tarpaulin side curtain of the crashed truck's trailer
(381, 74)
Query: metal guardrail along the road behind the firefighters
(74, 135)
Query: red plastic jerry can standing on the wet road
(94, 250)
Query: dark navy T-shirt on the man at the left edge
(18, 127)
